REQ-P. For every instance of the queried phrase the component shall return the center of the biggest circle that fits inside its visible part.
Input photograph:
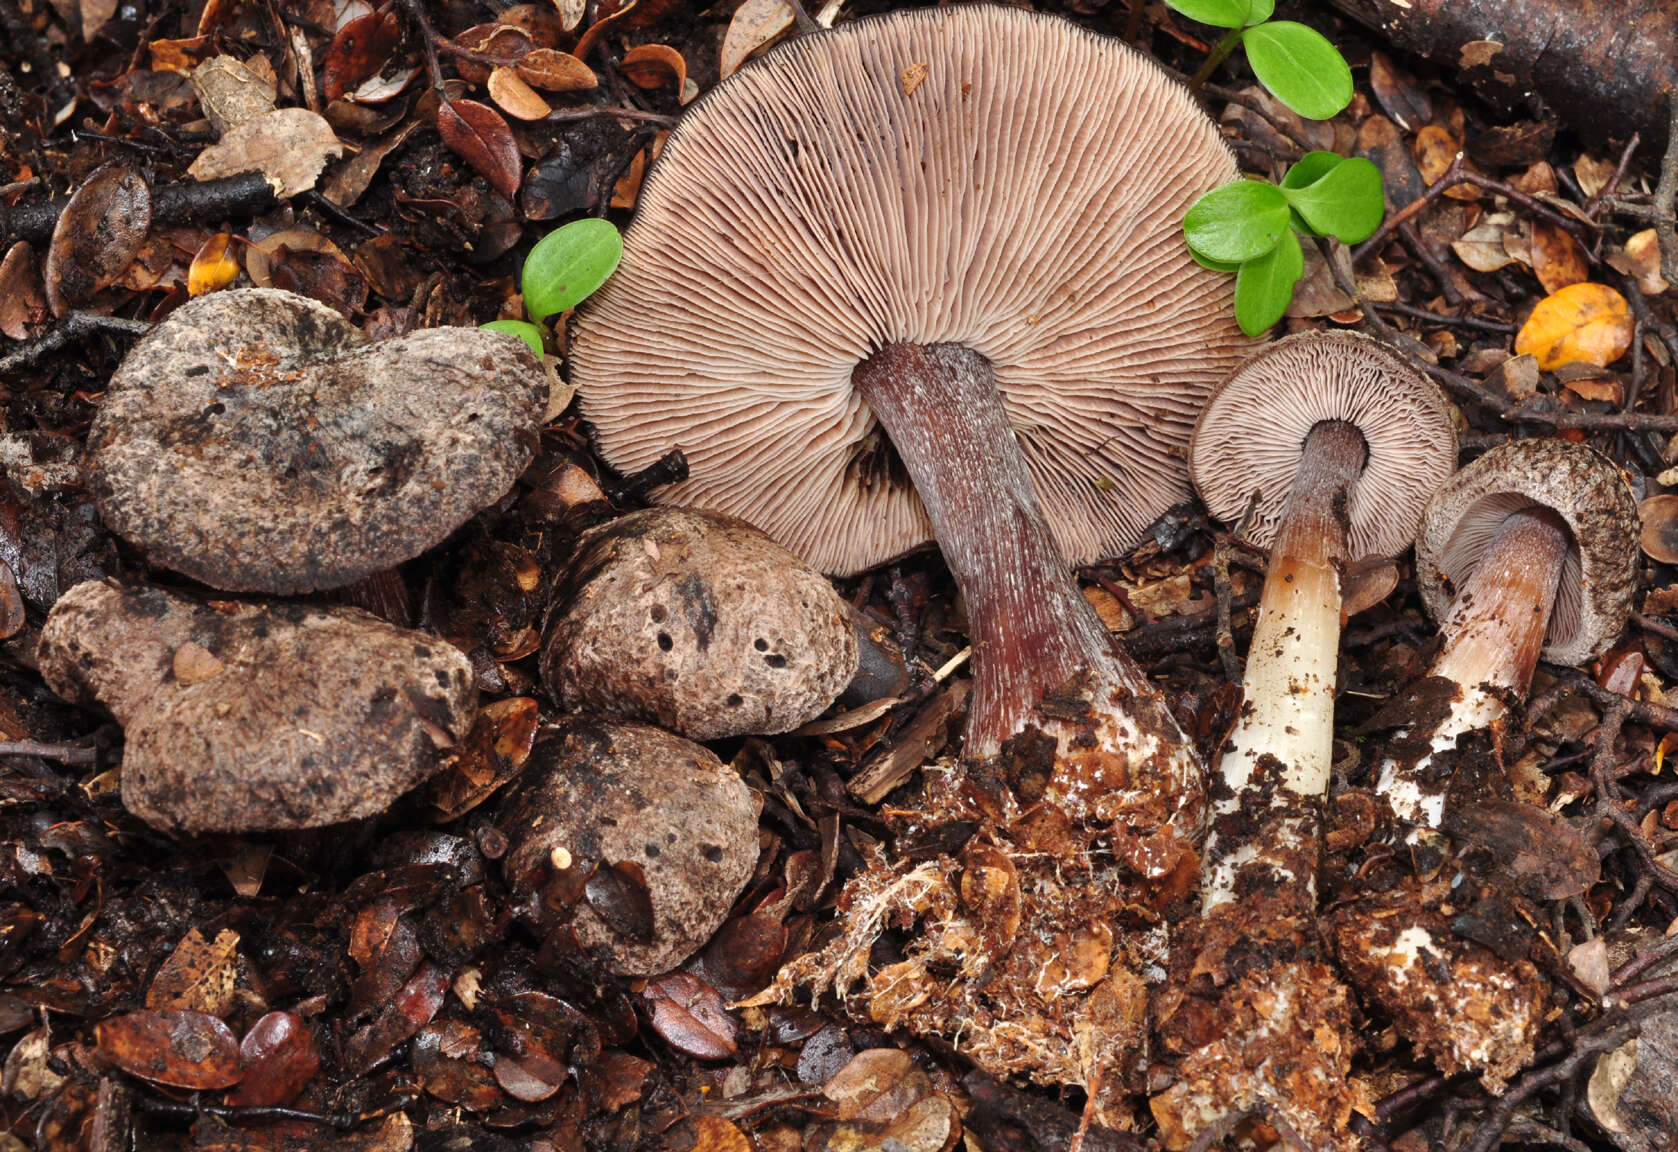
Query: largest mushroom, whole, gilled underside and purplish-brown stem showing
(944, 244)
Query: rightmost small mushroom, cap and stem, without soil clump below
(1528, 553)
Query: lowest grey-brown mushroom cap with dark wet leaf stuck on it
(638, 839)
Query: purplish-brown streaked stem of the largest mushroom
(1034, 635)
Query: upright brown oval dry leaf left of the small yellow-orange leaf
(98, 236)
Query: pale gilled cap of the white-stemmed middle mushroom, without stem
(1253, 435)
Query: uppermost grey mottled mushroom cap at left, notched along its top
(259, 444)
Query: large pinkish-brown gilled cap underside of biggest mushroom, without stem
(972, 175)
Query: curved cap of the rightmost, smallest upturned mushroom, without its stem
(1585, 489)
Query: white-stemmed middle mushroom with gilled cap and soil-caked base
(1343, 442)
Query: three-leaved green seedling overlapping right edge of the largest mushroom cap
(1253, 229)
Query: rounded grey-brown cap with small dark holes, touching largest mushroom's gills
(699, 623)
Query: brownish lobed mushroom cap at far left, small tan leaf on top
(258, 717)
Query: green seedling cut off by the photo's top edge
(1296, 63)
